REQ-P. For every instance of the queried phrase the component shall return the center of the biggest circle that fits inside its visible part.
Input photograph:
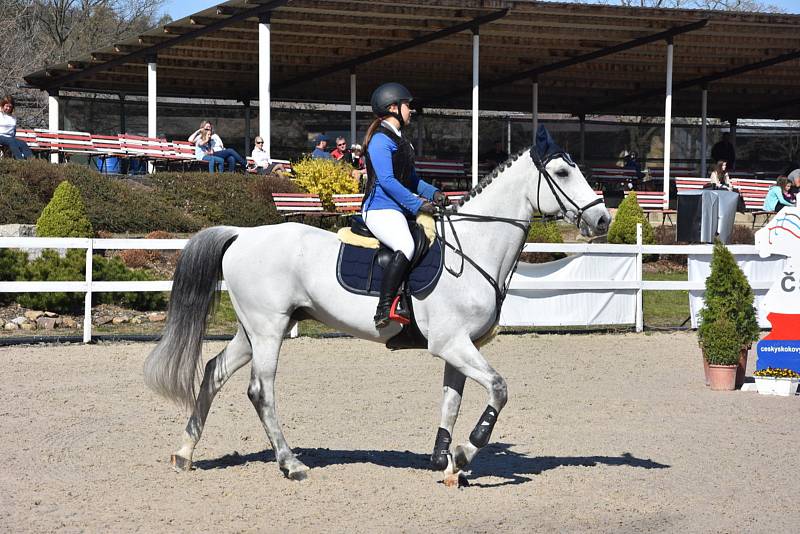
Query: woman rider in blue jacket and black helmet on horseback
(391, 194)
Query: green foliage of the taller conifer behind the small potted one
(728, 295)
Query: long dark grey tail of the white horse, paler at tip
(172, 368)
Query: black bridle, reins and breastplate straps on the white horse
(446, 215)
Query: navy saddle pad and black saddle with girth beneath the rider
(359, 270)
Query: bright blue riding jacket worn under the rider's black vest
(389, 192)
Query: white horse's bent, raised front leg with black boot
(465, 358)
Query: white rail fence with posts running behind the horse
(637, 285)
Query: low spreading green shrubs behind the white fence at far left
(52, 267)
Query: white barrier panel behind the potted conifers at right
(761, 273)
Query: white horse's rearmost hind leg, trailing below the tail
(218, 370)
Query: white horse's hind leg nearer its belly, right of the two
(266, 348)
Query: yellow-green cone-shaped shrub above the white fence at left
(64, 215)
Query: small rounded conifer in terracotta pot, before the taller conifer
(722, 348)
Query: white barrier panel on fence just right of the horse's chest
(596, 289)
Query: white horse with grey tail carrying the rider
(280, 274)
